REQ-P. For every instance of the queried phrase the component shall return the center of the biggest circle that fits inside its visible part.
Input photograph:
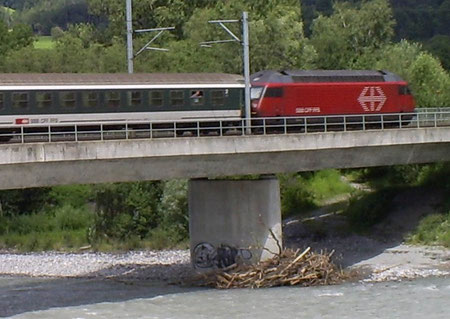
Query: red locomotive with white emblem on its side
(328, 92)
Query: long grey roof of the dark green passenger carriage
(119, 80)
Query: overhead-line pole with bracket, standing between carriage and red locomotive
(245, 58)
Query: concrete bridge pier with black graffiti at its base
(233, 221)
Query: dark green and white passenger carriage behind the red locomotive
(72, 99)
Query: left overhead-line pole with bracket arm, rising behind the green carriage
(130, 50)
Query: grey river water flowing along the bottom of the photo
(83, 298)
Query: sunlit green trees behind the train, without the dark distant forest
(338, 40)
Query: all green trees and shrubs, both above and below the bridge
(89, 36)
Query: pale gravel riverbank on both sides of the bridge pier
(394, 263)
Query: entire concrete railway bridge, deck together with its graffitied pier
(237, 217)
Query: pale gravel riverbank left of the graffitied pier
(164, 265)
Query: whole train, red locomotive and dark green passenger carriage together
(32, 101)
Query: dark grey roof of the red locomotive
(318, 76)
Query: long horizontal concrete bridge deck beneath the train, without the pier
(34, 165)
